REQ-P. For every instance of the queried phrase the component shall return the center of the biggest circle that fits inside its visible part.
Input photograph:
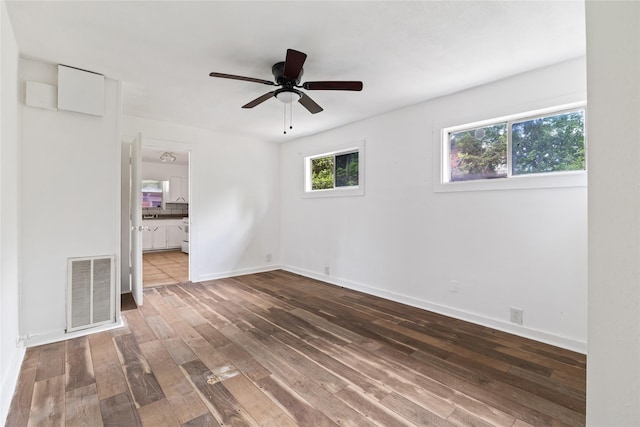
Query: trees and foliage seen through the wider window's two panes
(548, 143)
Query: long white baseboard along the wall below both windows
(534, 334)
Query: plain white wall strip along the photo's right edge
(613, 66)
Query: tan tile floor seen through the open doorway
(164, 268)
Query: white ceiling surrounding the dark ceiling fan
(404, 52)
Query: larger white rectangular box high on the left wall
(80, 91)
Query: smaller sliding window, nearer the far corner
(336, 173)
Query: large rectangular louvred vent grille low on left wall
(90, 292)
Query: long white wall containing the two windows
(401, 240)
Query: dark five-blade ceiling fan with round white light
(287, 75)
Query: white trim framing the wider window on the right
(442, 171)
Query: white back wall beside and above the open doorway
(234, 205)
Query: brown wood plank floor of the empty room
(276, 349)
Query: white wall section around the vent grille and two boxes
(70, 198)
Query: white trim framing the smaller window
(357, 190)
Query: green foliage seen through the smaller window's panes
(334, 171)
